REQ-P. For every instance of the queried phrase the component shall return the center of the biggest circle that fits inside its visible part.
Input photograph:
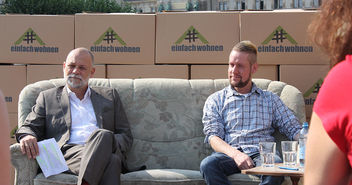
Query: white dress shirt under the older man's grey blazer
(83, 117)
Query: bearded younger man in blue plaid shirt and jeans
(238, 117)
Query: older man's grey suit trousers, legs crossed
(97, 161)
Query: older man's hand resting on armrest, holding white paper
(29, 146)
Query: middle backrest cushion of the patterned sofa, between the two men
(165, 118)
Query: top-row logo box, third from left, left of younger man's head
(196, 37)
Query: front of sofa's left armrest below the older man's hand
(25, 169)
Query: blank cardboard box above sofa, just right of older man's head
(147, 71)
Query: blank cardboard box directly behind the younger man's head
(220, 71)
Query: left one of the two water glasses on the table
(267, 153)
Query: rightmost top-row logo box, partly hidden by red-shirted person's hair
(281, 37)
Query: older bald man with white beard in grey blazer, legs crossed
(89, 124)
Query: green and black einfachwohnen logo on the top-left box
(28, 43)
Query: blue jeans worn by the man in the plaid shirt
(216, 167)
